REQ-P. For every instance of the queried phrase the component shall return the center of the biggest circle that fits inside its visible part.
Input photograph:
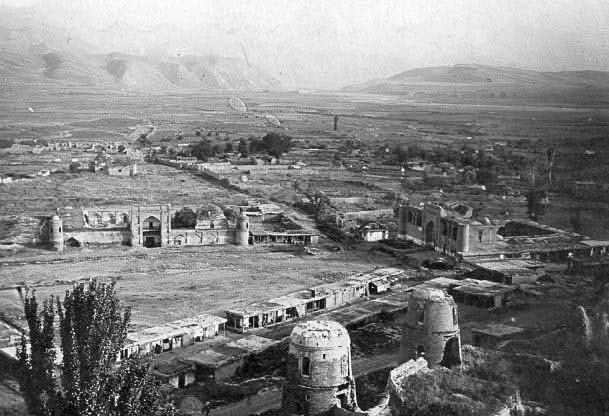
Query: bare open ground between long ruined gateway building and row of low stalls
(162, 285)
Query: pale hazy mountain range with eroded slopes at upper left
(32, 52)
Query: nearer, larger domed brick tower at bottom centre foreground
(318, 370)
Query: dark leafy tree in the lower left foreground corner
(93, 326)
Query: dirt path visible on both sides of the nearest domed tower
(272, 399)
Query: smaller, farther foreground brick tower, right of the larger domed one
(431, 328)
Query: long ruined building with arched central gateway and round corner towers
(160, 226)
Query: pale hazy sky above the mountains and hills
(331, 43)
